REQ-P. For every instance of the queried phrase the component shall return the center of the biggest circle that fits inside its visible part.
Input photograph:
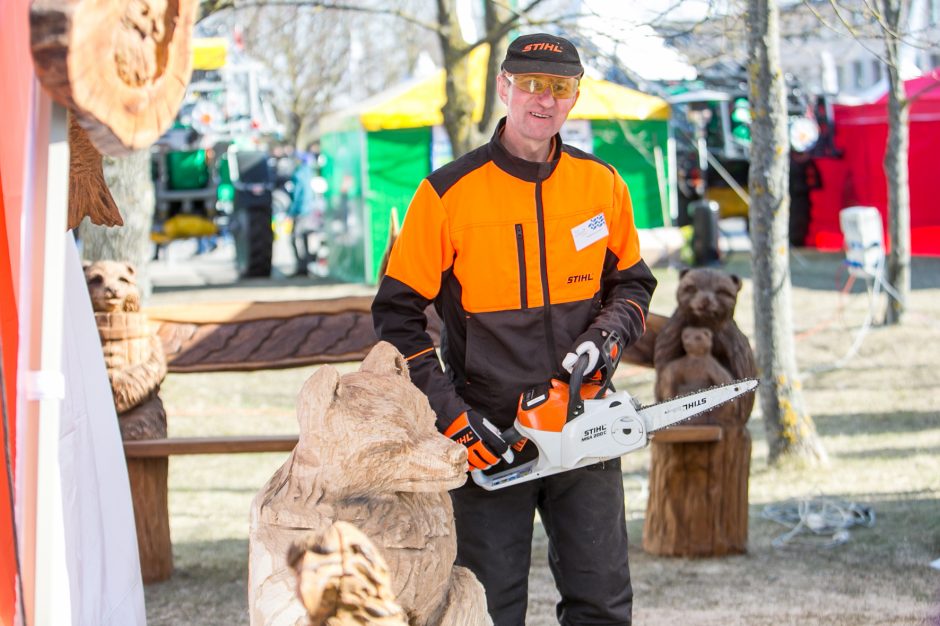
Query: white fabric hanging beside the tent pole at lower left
(101, 540)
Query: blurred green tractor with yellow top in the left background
(211, 175)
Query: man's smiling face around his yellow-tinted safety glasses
(534, 116)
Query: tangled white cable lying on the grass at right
(826, 520)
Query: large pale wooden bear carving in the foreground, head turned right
(368, 454)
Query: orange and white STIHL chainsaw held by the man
(585, 422)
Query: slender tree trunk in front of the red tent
(896, 172)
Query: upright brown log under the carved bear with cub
(698, 496)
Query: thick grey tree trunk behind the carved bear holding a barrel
(132, 188)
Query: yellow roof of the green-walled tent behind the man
(419, 104)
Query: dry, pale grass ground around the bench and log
(877, 415)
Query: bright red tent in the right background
(858, 178)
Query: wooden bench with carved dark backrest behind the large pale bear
(234, 336)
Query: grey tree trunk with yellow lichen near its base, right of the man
(790, 429)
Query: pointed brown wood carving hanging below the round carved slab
(89, 194)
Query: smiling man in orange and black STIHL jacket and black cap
(528, 250)
